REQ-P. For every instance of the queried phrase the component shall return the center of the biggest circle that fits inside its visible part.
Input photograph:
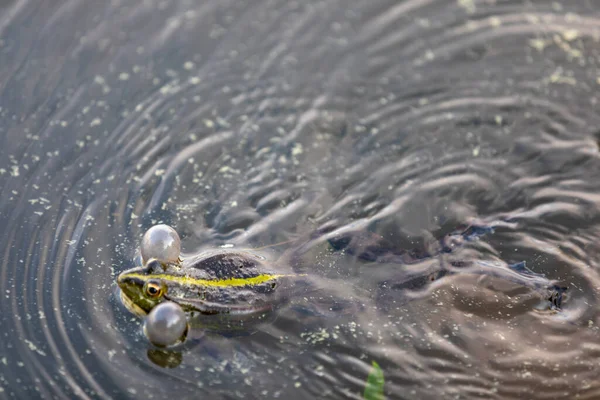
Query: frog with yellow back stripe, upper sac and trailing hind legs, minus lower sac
(240, 283)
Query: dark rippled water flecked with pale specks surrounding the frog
(258, 122)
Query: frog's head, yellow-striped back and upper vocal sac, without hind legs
(217, 282)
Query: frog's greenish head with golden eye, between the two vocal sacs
(142, 287)
